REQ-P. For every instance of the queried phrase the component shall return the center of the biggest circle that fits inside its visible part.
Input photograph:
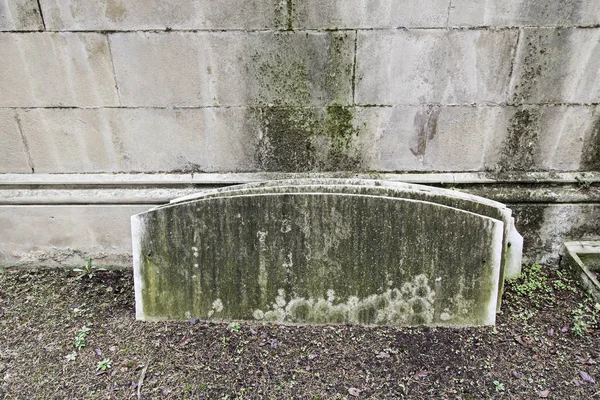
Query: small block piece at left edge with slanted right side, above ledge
(14, 155)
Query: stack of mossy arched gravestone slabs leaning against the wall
(324, 251)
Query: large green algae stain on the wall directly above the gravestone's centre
(294, 132)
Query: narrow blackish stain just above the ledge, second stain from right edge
(521, 148)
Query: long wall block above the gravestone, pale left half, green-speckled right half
(233, 68)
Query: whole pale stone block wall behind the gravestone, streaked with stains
(239, 90)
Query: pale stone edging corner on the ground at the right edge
(582, 258)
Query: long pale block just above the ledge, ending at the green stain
(138, 140)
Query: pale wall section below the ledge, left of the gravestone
(66, 235)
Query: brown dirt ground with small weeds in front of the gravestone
(546, 344)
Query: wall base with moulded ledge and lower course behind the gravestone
(60, 220)
